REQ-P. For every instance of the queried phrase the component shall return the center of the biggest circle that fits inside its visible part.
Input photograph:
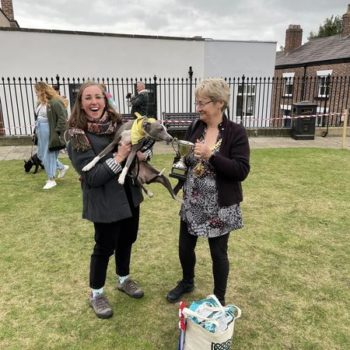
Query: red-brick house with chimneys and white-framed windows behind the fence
(318, 71)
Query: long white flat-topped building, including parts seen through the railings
(46, 53)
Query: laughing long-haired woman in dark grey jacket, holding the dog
(113, 209)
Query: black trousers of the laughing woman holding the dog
(118, 238)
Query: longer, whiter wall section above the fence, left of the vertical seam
(36, 54)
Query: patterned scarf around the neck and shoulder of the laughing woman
(103, 126)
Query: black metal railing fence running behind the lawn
(261, 102)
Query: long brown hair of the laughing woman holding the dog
(78, 118)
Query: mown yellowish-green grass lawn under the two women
(289, 265)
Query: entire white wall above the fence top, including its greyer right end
(47, 53)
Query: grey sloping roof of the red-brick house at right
(330, 49)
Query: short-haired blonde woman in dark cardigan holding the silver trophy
(212, 190)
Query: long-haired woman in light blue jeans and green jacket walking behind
(51, 124)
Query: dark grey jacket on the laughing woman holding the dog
(104, 199)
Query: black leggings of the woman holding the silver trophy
(218, 251)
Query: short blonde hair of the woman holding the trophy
(216, 89)
